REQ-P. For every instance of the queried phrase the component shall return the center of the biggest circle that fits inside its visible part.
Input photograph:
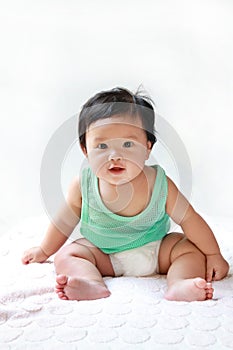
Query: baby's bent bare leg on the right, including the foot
(187, 270)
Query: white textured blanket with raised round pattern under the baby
(135, 316)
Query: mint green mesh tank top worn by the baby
(114, 233)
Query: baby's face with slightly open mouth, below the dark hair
(117, 148)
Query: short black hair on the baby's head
(115, 102)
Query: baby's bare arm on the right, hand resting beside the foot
(197, 231)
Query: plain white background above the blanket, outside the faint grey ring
(55, 54)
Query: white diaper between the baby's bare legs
(141, 261)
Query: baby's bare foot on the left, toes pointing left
(73, 288)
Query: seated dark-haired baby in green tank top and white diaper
(124, 208)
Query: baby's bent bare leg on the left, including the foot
(80, 267)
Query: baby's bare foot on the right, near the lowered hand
(194, 289)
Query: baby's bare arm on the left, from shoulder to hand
(59, 230)
